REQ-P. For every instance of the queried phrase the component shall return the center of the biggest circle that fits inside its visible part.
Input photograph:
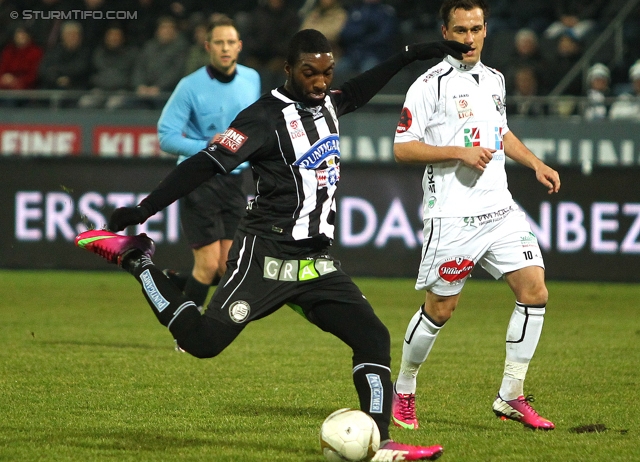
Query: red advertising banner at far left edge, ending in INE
(40, 139)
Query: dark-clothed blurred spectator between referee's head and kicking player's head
(266, 37)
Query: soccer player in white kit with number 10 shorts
(454, 121)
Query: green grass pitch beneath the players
(87, 373)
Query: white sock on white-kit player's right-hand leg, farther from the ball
(523, 333)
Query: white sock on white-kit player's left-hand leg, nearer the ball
(418, 341)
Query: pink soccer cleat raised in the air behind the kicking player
(113, 247)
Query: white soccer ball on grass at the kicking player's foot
(349, 434)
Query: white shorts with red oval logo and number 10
(500, 242)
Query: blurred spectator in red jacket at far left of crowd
(19, 62)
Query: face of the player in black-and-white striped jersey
(310, 77)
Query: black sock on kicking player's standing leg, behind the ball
(374, 387)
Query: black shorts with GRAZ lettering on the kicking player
(263, 275)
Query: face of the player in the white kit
(467, 27)
